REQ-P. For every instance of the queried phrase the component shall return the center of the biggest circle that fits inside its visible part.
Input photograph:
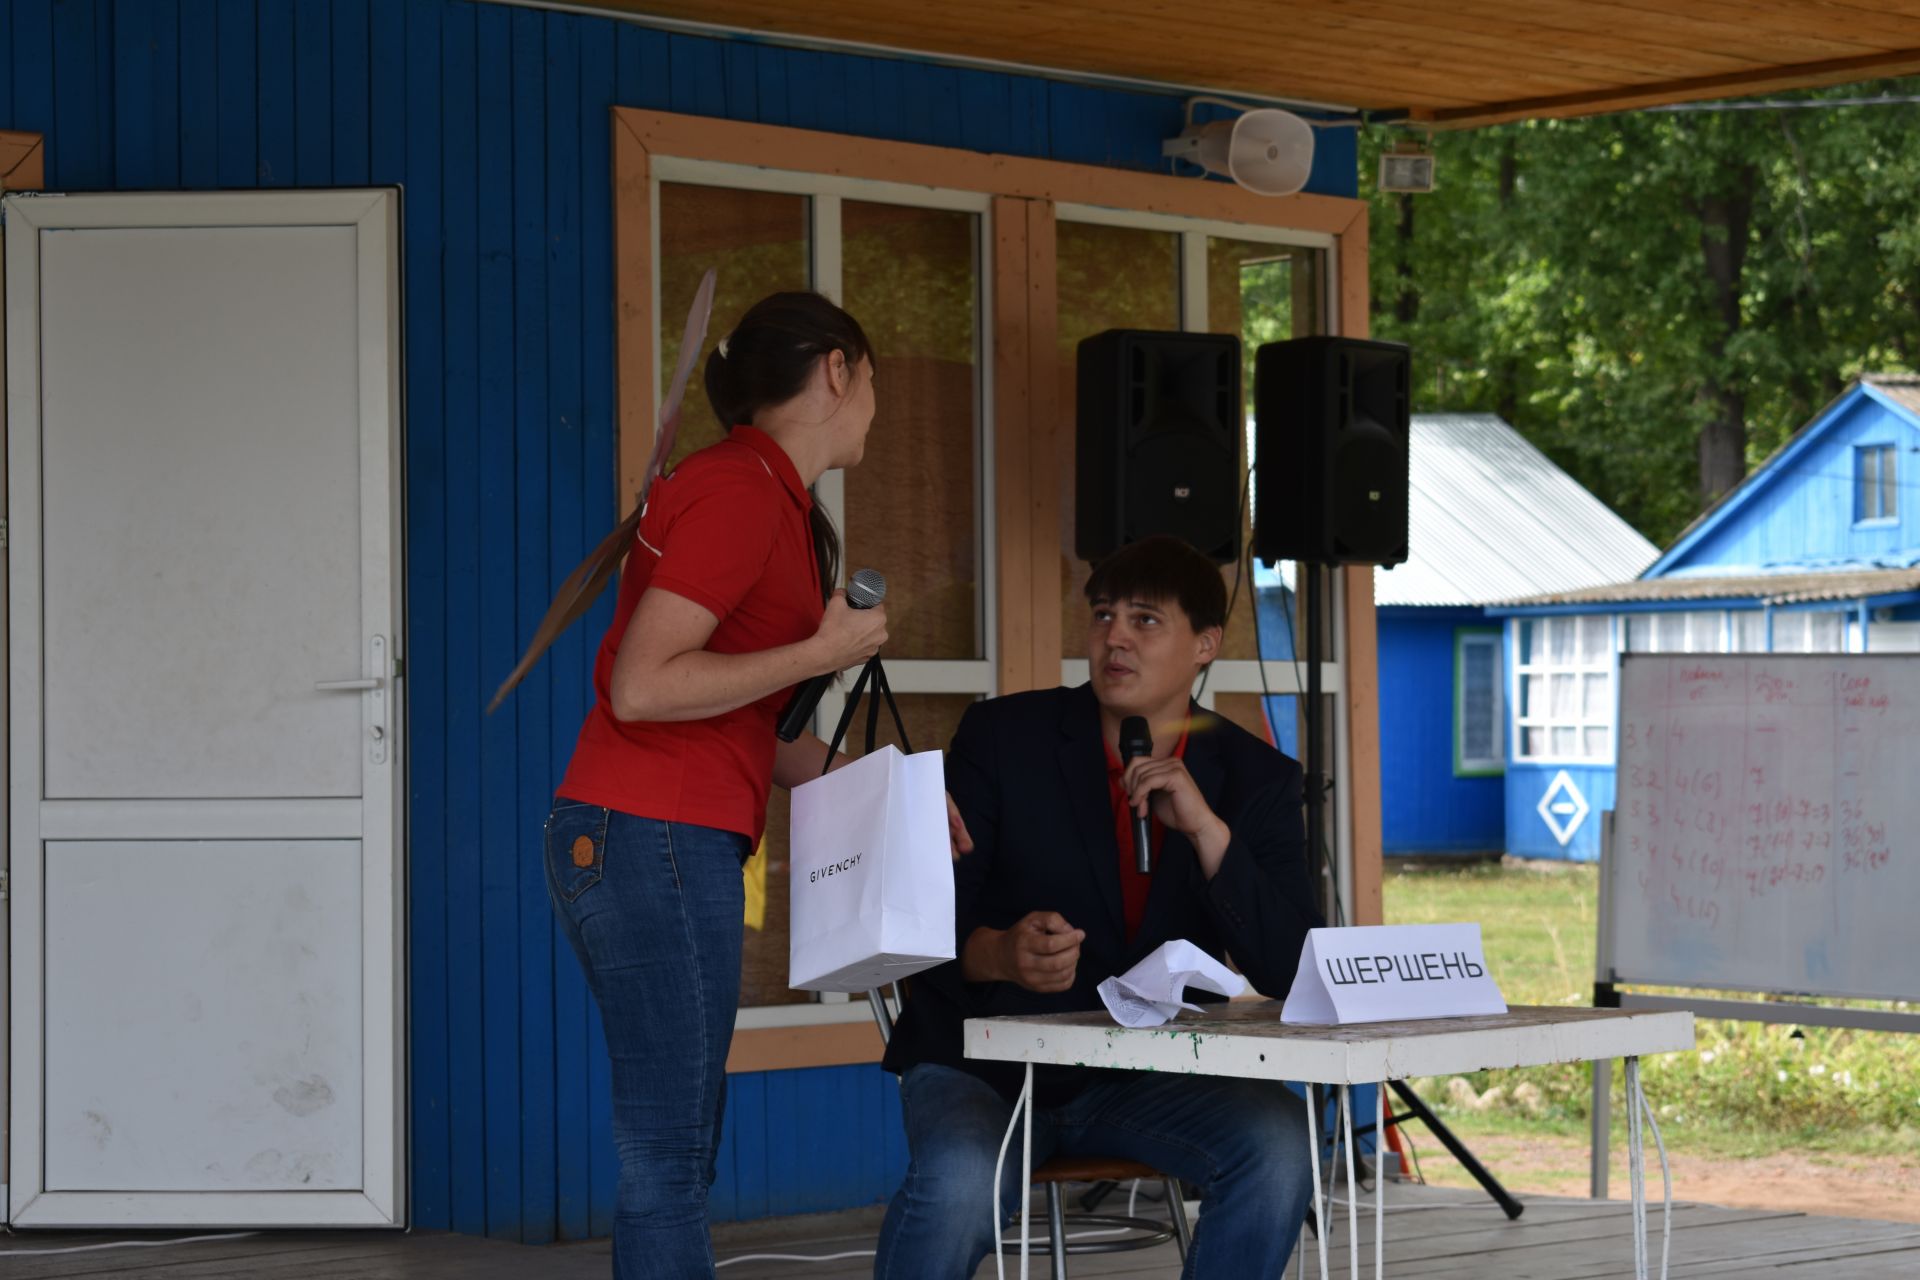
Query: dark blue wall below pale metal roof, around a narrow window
(1424, 807)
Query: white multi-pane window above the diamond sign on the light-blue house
(1566, 690)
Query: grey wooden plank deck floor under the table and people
(1431, 1233)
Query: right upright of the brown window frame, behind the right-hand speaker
(1360, 671)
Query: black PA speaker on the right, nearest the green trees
(1332, 467)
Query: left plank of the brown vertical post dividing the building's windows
(1011, 446)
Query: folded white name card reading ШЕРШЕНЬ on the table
(1387, 974)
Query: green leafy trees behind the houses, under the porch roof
(1614, 287)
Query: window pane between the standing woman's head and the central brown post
(913, 281)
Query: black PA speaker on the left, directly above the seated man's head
(1159, 442)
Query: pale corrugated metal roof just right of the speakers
(1493, 519)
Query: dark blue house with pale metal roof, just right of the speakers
(1491, 519)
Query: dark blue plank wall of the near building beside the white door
(496, 124)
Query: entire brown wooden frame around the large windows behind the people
(1024, 197)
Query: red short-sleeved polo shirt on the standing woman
(727, 531)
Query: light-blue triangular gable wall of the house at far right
(1800, 510)
